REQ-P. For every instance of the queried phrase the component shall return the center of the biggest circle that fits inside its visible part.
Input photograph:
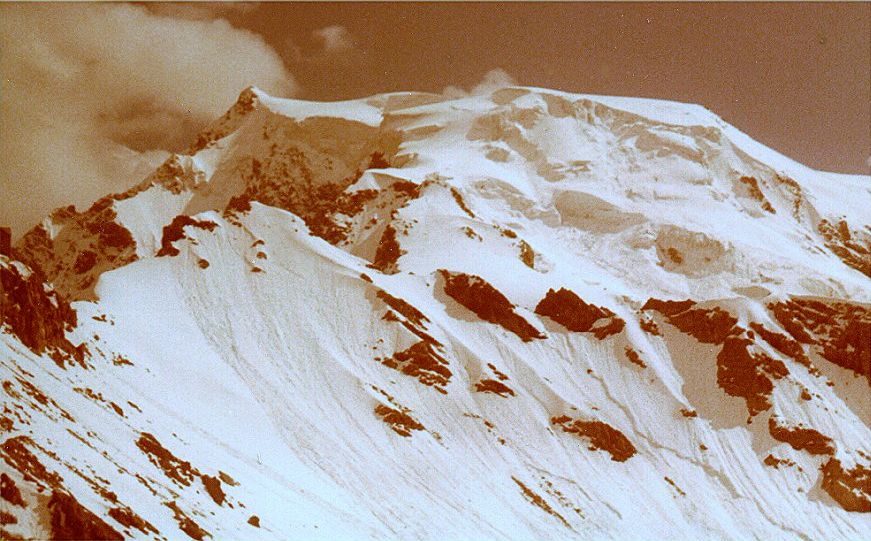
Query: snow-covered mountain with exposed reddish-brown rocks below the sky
(522, 315)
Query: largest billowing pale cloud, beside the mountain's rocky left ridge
(83, 83)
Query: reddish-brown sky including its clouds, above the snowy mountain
(94, 95)
